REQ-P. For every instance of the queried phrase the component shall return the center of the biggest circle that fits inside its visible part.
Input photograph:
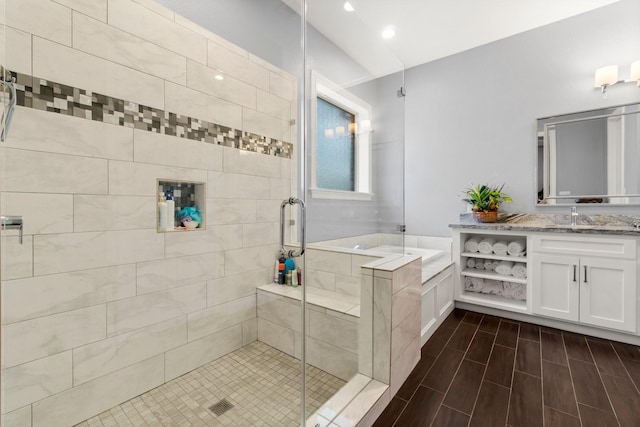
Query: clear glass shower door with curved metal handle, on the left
(152, 145)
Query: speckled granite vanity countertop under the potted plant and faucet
(556, 223)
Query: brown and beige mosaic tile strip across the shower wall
(45, 95)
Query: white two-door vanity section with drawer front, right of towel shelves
(591, 280)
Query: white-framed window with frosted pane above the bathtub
(341, 143)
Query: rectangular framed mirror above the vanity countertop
(590, 157)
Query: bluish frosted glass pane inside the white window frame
(335, 147)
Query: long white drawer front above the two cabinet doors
(619, 247)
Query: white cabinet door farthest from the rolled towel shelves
(608, 293)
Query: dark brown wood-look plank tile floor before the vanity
(480, 370)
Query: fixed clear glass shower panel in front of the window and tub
(350, 66)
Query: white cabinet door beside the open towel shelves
(555, 286)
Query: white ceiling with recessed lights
(429, 29)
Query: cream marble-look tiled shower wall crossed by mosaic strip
(97, 305)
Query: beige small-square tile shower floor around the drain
(262, 384)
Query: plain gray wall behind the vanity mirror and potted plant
(471, 117)
